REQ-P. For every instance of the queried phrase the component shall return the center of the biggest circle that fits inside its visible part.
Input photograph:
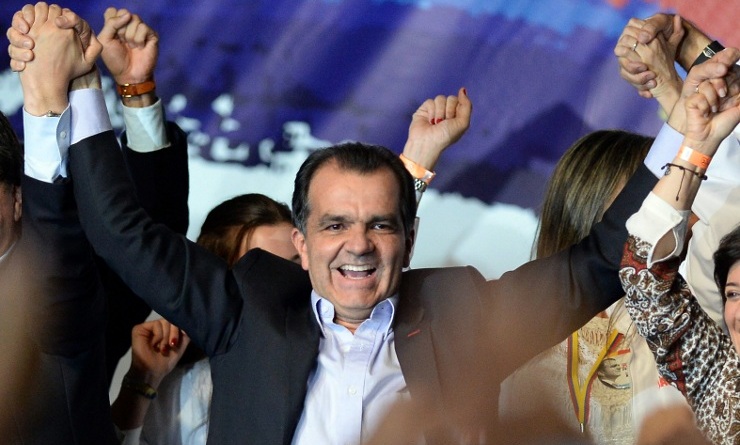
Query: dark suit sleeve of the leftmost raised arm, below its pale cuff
(68, 403)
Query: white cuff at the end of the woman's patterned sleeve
(654, 219)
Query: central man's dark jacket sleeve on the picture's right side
(540, 303)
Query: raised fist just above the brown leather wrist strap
(130, 47)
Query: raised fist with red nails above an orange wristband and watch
(437, 124)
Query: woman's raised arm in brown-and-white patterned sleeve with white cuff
(689, 348)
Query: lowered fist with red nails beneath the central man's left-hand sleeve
(156, 347)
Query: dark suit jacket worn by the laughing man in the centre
(256, 324)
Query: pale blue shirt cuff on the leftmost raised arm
(47, 141)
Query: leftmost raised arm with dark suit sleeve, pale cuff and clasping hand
(70, 396)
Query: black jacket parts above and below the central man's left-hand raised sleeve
(161, 182)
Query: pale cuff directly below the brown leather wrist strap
(145, 129)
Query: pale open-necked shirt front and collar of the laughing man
(356, 381)
